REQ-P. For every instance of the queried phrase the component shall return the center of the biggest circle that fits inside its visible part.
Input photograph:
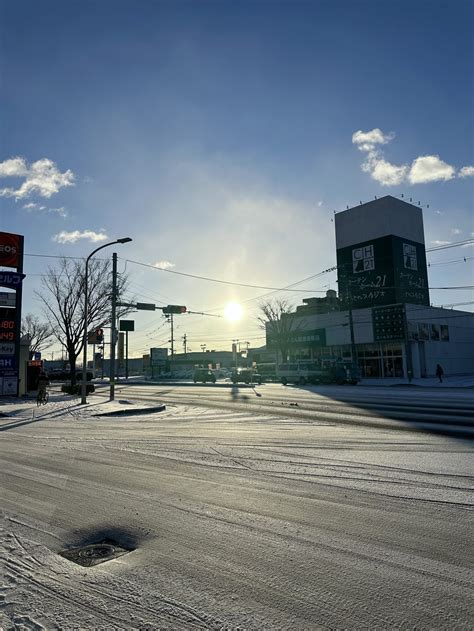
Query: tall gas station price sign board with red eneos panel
(11, 256)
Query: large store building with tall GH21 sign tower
(383, 285)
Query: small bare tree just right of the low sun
(278, 320)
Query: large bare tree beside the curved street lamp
(63, 302)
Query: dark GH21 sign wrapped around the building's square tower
(384, 271)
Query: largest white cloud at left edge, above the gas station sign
(42, 178)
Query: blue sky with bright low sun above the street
(222, 136)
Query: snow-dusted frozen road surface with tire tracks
(236, 516)
